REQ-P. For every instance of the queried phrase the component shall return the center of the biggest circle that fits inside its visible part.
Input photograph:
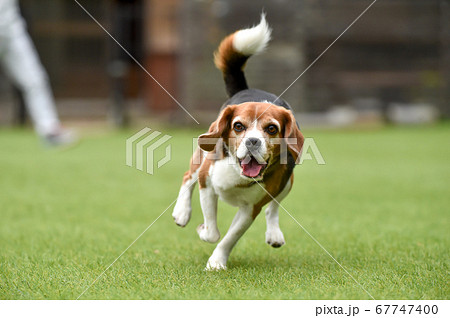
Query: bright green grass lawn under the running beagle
(380, 206)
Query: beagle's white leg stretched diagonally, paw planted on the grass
(240, 224)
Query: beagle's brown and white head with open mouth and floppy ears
(255, 134)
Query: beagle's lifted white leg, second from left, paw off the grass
(208, 231)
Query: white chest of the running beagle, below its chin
(230, 186)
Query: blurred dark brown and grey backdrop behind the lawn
(392, 66)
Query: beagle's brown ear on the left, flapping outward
(217, 131)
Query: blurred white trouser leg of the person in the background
(20, 61)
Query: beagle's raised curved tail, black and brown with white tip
(234, 51)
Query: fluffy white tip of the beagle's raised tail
(253, 40)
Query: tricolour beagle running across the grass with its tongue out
(247, 156)
